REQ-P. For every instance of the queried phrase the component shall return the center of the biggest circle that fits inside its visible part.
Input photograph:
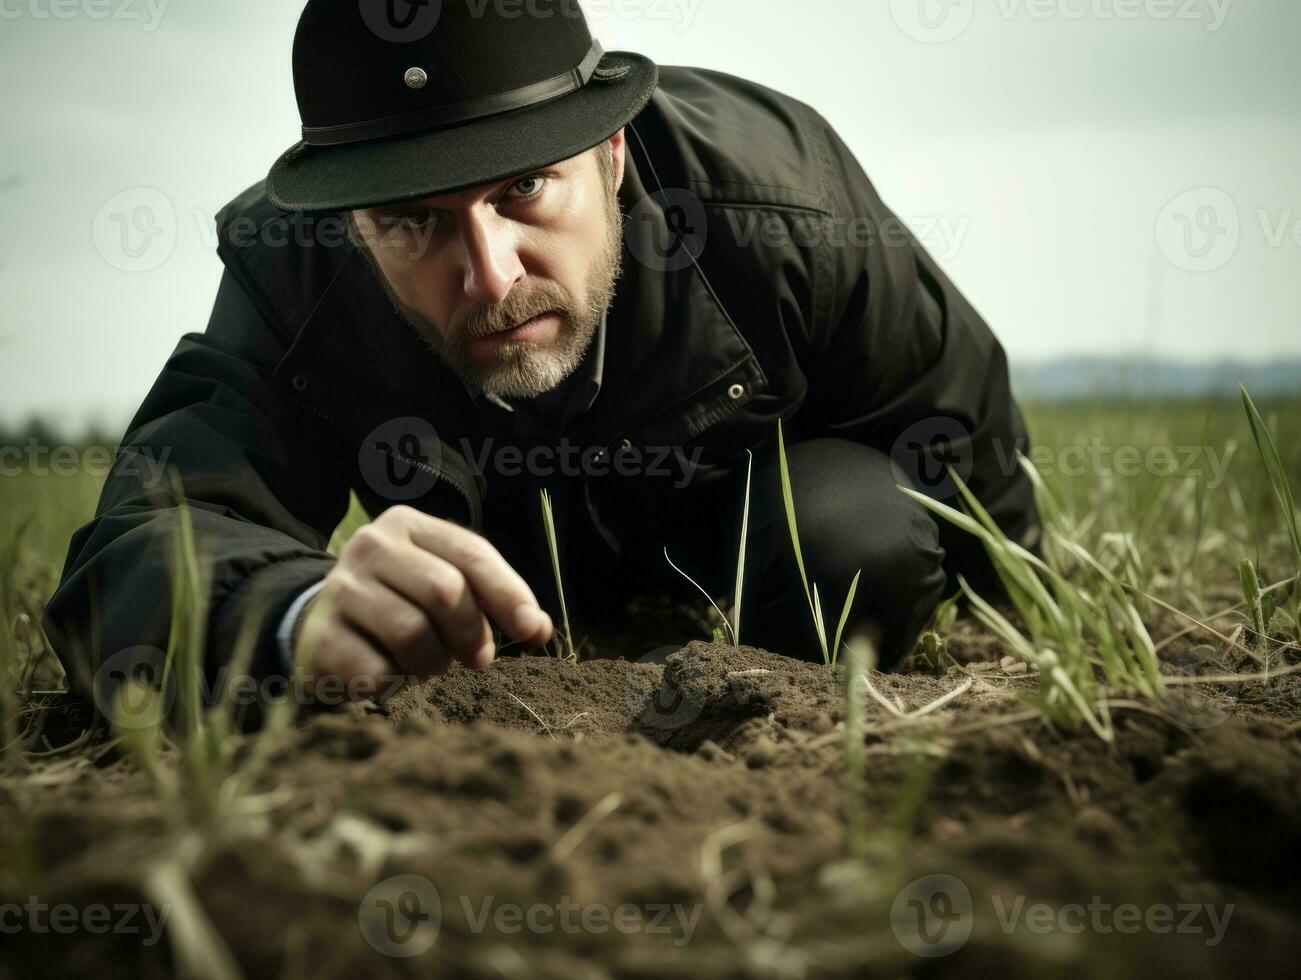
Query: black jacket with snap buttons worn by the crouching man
(803, 304)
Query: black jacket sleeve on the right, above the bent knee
(905, 364)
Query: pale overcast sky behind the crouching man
(1099, 176)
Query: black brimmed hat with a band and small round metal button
(408, 100)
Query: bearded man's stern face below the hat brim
(508, 282)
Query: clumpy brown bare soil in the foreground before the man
(685, 815)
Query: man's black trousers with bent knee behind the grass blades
(852, 519)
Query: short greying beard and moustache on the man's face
(521, 369)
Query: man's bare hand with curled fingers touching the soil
(408, 597)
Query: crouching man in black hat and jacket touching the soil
(563, 270)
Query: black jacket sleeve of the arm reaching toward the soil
(266, 485)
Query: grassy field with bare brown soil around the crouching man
(724, 811)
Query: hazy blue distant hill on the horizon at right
(1142, 378)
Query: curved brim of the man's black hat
(442, 162)
